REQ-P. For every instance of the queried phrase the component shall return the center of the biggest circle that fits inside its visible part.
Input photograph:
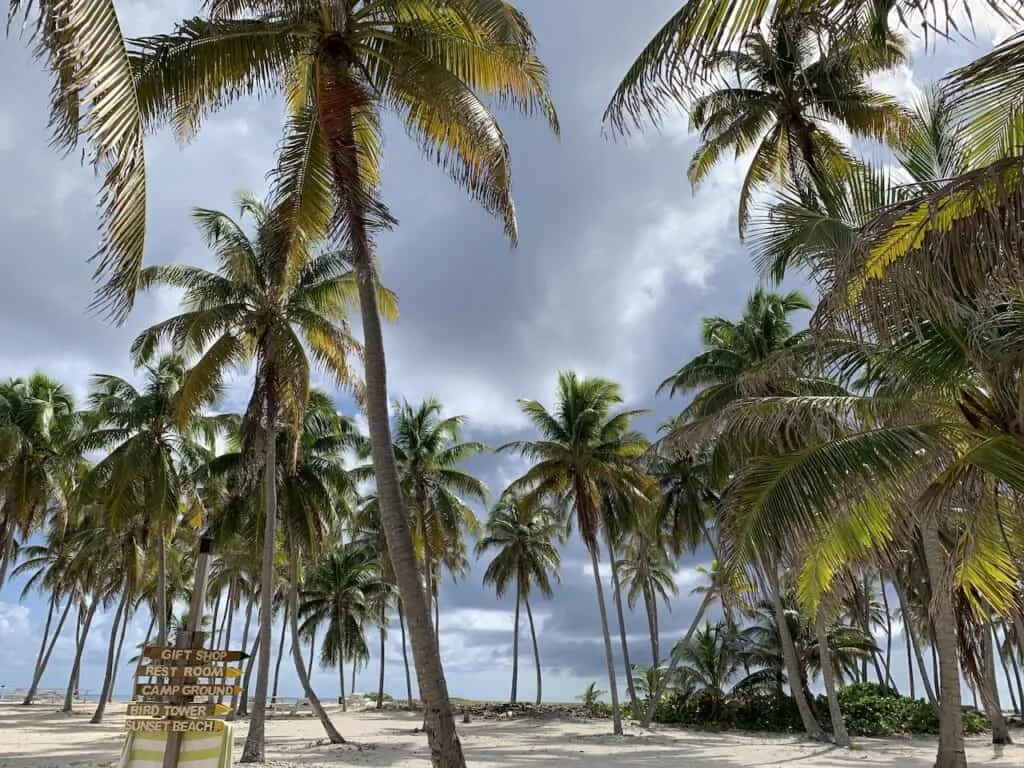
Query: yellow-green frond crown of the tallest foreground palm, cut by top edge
(434, 65)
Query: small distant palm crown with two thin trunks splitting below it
(524, 534)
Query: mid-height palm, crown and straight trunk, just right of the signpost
(273, 298)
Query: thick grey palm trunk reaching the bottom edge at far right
(951, 754)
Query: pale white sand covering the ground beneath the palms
(40, 738)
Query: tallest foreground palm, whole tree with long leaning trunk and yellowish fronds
(433, 65)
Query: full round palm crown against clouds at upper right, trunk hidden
(779, 93)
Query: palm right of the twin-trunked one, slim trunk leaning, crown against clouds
(584, 451)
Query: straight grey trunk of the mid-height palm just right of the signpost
(253, 752)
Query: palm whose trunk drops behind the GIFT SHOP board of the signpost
(150, 444)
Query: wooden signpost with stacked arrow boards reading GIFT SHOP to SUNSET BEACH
(176, 675)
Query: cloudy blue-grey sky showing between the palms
(619, 260)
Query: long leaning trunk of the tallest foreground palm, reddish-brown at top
(337, 125)
